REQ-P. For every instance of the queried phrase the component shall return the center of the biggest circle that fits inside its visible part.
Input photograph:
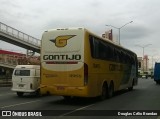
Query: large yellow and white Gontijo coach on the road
(76, 62)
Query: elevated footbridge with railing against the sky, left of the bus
(18, 38)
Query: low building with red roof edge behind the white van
(9, 59)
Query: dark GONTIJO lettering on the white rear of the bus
(62, 57)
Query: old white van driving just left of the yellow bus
(26, 79)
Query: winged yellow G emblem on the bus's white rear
(61, 41)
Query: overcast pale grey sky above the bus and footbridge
(33, 17)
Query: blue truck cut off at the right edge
(157, 72)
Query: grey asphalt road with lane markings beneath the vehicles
(145, 97)
